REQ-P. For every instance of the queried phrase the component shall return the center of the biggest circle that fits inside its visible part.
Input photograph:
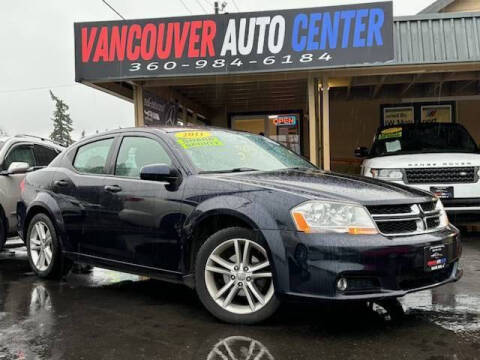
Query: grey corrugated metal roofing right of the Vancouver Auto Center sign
(437, 38)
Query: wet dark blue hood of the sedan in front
(330, 186)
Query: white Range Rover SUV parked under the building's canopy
(437, 157)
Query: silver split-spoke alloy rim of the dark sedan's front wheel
(238, 276)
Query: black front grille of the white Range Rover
(451, 175)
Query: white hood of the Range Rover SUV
(424, 160)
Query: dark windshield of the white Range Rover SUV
(438, 138)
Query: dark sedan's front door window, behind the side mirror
(136, 152)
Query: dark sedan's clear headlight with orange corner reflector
(323, 216)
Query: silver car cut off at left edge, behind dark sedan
(18, 155)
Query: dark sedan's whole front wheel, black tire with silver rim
(237, 283)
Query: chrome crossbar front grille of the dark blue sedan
(406, 219)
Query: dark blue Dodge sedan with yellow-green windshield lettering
(237, 216)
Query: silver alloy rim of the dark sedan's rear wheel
(41, 246)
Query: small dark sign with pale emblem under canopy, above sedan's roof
(157, 111)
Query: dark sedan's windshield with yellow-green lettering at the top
(225, 151)
